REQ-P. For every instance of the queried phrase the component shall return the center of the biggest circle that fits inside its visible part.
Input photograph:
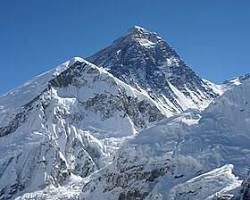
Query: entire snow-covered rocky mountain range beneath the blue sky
(132, 121)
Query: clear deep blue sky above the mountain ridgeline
(212, 36)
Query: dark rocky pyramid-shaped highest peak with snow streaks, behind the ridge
(144, 60)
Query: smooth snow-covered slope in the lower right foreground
(183, 157)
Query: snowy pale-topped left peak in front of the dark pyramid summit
(66, 122)
